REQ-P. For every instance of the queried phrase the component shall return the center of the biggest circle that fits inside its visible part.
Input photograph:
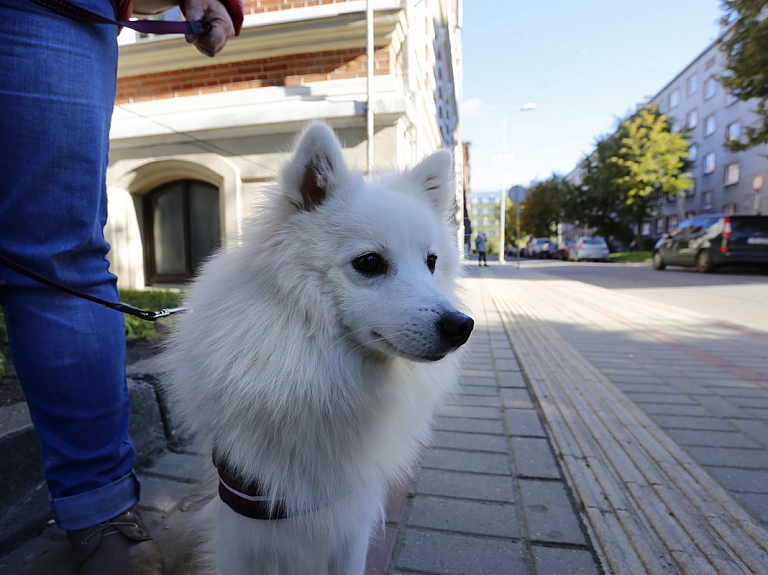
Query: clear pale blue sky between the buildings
(584, 64)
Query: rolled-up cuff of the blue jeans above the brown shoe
(94, 507)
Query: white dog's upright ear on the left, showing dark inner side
(316, 168)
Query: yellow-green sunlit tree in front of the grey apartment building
(653, 161)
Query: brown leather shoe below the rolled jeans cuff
(121, 546)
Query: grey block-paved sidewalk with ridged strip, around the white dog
(600, 435)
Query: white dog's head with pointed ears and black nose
(379, 254)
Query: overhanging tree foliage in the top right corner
(746, 49)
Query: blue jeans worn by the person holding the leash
(57, 88)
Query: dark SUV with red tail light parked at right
(713, 240)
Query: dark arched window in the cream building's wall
(181, 227)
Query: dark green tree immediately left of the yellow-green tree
(599, 201)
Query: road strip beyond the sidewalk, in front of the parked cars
(738, 296)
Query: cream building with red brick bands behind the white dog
(195, 141)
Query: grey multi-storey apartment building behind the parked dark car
(699, 106)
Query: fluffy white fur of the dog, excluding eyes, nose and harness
(309, 376)
